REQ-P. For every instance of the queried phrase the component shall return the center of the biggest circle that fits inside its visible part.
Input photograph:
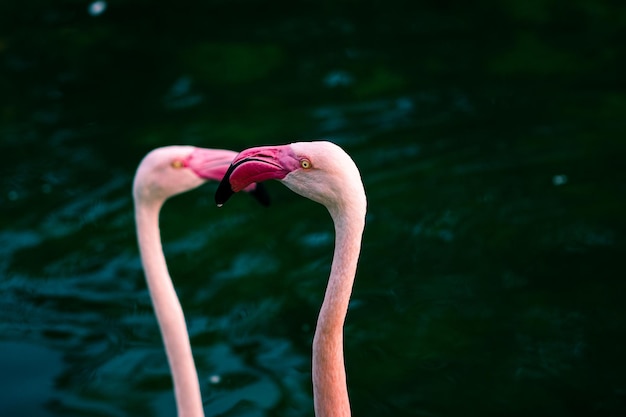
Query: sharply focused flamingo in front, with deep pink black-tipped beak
(324, 173)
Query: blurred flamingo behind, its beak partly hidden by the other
(163, 173)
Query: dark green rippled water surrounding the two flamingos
(491, 140)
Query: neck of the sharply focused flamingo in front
(330, 390)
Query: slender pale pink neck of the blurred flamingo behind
(168, 312)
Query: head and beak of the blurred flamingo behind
(170, 170)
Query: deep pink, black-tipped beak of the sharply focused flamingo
(255, 165)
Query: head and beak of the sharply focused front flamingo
(319, 170)
